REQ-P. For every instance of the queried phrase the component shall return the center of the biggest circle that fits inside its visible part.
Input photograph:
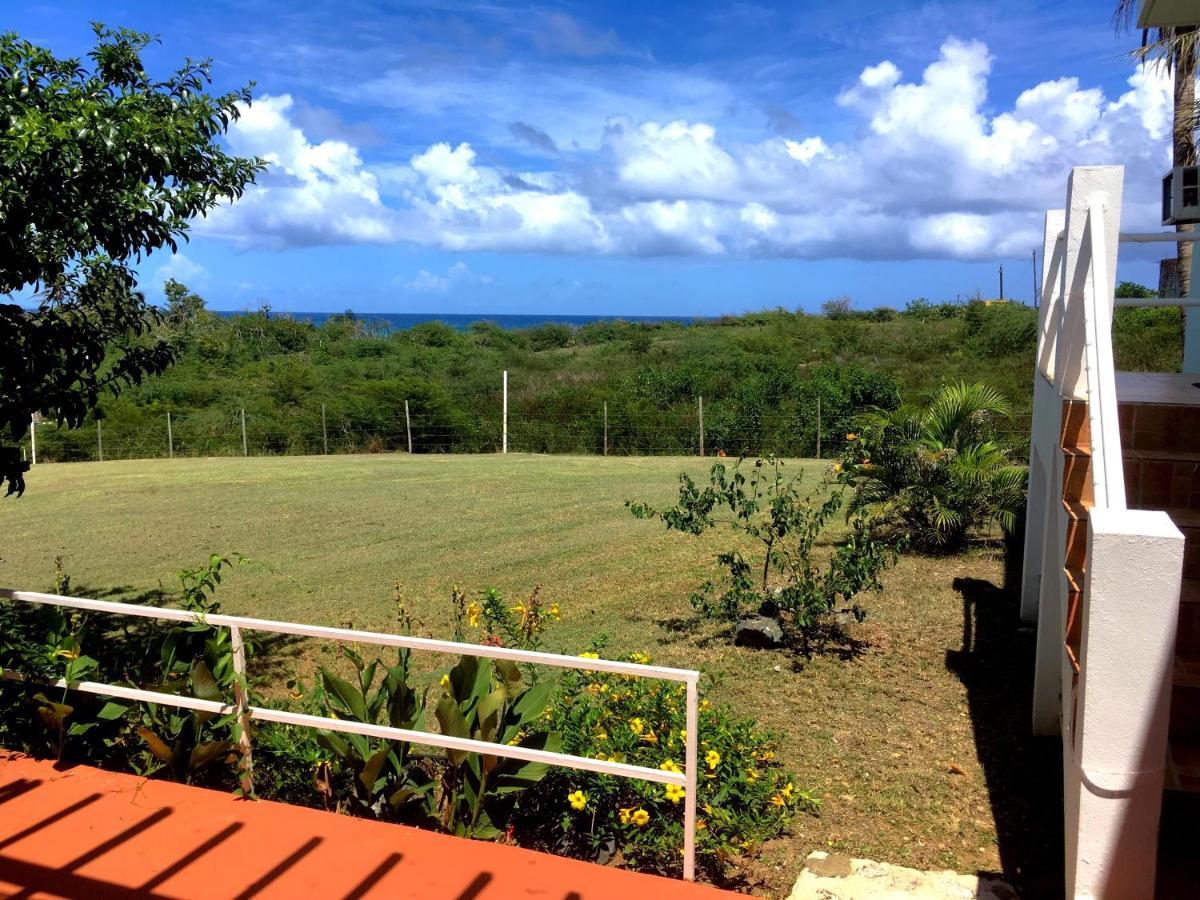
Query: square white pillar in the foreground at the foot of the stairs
(1115, 766)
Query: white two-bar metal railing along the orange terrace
(245, 712)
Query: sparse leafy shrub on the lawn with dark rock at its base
(785, 525)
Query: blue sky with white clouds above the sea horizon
(645, 159)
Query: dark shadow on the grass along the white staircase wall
(1023, 772)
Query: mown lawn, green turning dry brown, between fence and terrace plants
(917, 745)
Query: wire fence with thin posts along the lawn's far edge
(717, 429)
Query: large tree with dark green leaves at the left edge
(100, 165)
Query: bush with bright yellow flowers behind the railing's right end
(745, 796)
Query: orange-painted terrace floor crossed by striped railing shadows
(69, 832)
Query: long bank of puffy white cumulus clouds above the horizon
(934, 171)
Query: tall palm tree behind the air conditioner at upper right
(1178, 50)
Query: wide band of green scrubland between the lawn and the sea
(760, 375)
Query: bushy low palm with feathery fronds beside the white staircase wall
(935, 475)
